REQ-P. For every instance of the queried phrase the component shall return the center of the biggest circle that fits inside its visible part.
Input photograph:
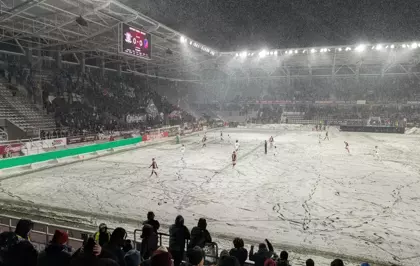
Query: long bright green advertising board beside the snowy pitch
(36, 158)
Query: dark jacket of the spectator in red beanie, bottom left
(55, 255)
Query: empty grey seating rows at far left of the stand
(22, 113)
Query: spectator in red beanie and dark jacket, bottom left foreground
(56, 253)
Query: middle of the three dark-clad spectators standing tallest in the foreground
(178, 235)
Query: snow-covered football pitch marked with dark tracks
(312, 196)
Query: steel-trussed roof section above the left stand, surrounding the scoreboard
(51, 24)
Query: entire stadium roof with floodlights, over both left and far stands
(48, 25)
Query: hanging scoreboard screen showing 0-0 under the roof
(136, 42)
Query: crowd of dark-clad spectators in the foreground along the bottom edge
(185, 248)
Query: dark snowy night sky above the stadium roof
(229, 25)
